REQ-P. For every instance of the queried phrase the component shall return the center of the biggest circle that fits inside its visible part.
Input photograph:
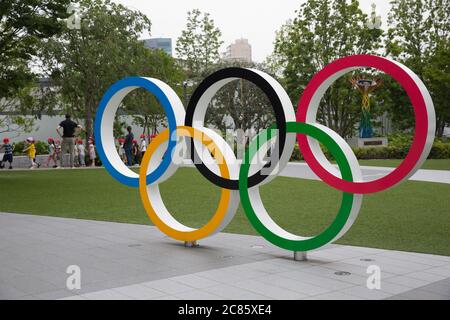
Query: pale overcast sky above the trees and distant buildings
(256, 20)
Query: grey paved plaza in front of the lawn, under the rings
(126, 261)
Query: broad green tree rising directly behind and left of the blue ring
(84, 62)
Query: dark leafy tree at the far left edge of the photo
(23, 26)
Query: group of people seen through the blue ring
(129, 150)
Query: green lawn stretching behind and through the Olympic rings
(414, 216)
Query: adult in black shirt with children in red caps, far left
(56, 148)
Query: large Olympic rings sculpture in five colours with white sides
(240, 182)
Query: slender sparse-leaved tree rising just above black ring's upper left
(198, 46)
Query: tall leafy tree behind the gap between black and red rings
(323, 31)
